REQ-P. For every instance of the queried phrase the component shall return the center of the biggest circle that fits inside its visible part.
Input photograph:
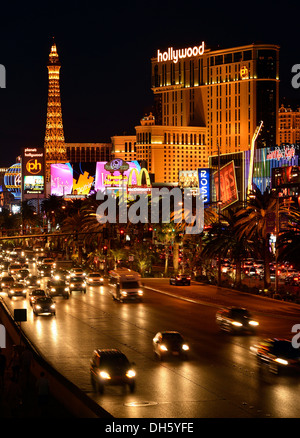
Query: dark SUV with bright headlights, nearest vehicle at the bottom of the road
(111, 367)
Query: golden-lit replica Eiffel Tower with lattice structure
(54, 143)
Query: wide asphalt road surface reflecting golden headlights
(221, 377)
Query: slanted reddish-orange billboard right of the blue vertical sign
(228, 186)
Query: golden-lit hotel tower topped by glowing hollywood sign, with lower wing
(207, 101)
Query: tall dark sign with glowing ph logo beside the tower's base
(33, 172)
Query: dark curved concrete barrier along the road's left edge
(68, 394)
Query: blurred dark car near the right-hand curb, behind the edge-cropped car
(236, 320)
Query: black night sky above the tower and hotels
(105, 50)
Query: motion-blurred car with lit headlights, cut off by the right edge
(278, 354)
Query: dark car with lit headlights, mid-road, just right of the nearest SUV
(170, 343)
